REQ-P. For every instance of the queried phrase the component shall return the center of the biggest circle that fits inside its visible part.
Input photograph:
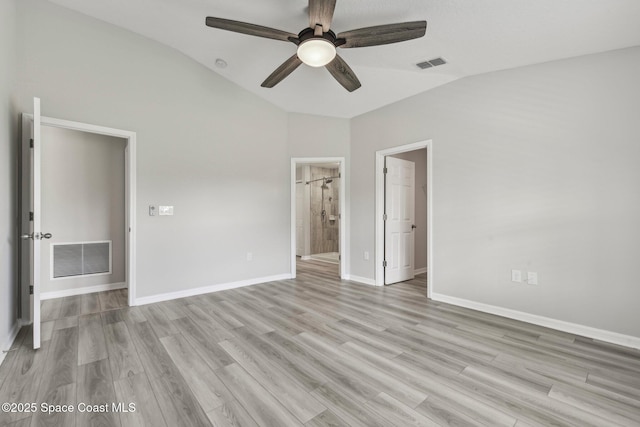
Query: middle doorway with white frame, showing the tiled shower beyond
(317, 206)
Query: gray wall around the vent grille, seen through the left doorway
(82, 199)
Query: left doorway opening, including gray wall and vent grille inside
(82, 204)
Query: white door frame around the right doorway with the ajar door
(379, 209)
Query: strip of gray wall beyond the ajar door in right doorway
(419, 157)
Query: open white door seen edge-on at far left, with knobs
(31, 228)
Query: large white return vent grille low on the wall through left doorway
(80, 259)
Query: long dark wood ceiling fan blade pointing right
(383, 34)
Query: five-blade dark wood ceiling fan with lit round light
(317, 44)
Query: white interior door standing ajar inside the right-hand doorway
(399, 225)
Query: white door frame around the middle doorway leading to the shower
(295, 161)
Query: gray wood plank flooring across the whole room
(314, 351)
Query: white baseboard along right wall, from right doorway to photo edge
(561, 325)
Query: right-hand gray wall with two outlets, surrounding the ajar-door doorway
(535, 168)
